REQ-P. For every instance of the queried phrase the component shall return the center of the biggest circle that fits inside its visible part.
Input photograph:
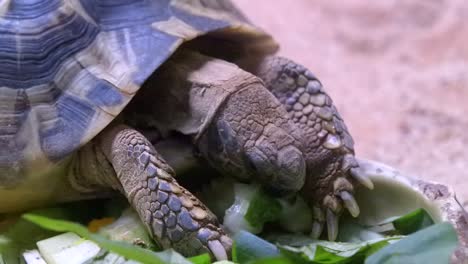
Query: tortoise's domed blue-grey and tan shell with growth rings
(68, 68)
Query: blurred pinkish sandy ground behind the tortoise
(396, 69)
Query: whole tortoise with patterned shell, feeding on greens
(88, 87)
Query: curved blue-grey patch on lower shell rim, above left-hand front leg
(64, 136)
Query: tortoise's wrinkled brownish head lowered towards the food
(250, 137)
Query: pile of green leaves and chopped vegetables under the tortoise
(39, 237)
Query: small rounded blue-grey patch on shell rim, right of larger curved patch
(104, 94)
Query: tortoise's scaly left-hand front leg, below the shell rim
(175, 218)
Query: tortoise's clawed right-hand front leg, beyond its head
(332, 170)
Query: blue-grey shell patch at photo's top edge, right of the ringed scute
(117, 14)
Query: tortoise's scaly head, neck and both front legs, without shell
(279, 129)
